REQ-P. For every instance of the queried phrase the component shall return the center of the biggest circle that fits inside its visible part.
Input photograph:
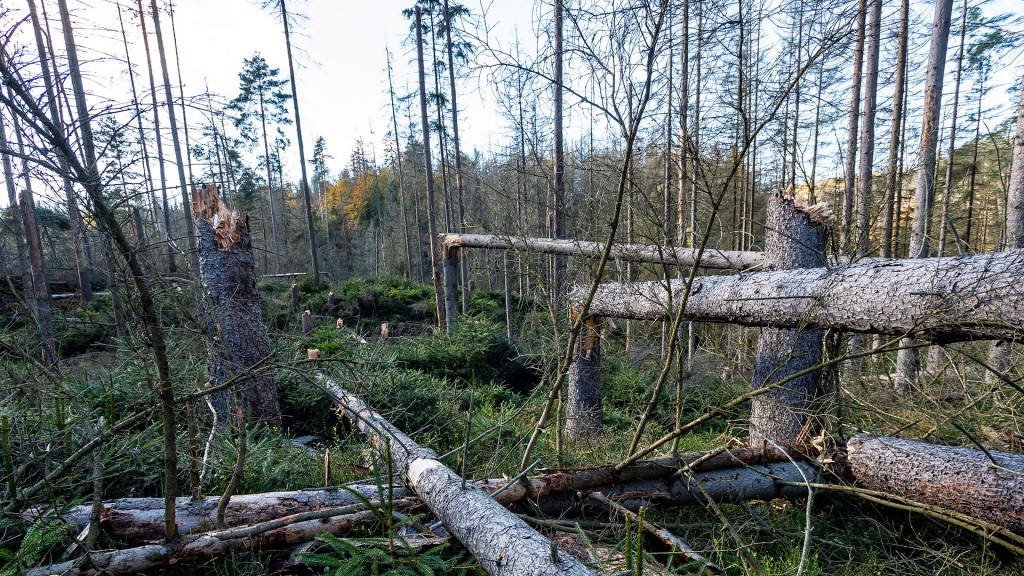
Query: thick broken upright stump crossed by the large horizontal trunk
(792, 241)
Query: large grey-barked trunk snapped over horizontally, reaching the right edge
(973, 298)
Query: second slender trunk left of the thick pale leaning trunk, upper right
(868, 129)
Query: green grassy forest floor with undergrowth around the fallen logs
(423, 385)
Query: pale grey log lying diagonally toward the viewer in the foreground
(501, 542)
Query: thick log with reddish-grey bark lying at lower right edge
(958, 479)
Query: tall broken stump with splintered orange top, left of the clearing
(238, 340)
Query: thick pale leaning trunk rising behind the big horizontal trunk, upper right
(907, 362)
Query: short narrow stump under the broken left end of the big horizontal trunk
(584, 413)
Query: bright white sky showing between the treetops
(340, 53)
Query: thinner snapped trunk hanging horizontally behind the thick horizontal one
(652, 254)
